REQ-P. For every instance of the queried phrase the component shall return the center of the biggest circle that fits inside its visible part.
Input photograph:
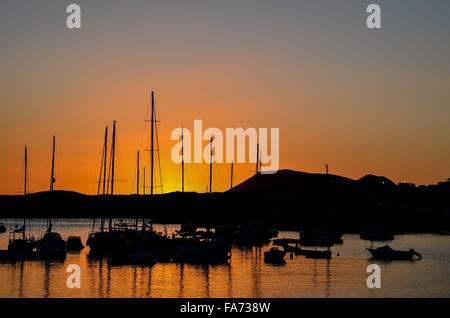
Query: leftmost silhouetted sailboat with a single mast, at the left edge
(20, 246)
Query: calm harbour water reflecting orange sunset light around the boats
(246, 275)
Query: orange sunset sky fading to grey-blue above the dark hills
(363, 101)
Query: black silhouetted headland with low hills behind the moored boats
(285, 200)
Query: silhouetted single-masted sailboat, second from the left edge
(51, 245)
